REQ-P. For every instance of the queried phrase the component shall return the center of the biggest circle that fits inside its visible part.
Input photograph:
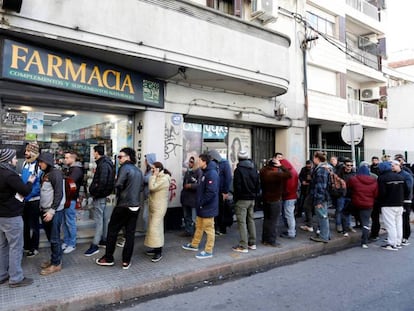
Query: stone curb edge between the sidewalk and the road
(187, 281)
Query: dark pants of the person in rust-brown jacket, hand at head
(271, 213)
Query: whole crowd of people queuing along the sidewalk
(211, 196)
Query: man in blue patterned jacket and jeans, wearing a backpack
(320, 196)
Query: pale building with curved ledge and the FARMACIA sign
(174, 78)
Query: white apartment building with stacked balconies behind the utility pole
(344, 77)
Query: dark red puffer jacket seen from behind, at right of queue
(364, 190)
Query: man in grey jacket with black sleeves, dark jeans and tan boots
(52, 201)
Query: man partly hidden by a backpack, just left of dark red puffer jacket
(343, 221)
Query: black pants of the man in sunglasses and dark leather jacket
(121, 218)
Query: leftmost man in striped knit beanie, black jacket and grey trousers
(12, 193)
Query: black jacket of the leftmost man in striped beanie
(10, 184)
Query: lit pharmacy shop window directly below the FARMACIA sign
(58, 130)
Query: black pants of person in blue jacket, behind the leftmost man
(31, 218)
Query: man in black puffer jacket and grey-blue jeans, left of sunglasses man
(101, 186)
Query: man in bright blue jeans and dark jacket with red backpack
(75, 171)
